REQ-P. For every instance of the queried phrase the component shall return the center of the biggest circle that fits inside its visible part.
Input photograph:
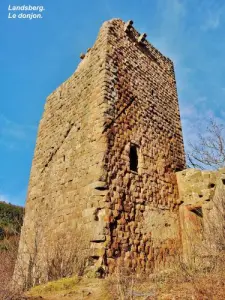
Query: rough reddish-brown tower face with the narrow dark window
(143, 106)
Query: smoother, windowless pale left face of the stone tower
(66, 168)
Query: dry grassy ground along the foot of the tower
(162, 286)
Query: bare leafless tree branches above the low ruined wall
(208, 152)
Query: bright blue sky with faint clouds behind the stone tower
(36, 56)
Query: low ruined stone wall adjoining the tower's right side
(202, 212)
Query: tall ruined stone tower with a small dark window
(108, 146)
